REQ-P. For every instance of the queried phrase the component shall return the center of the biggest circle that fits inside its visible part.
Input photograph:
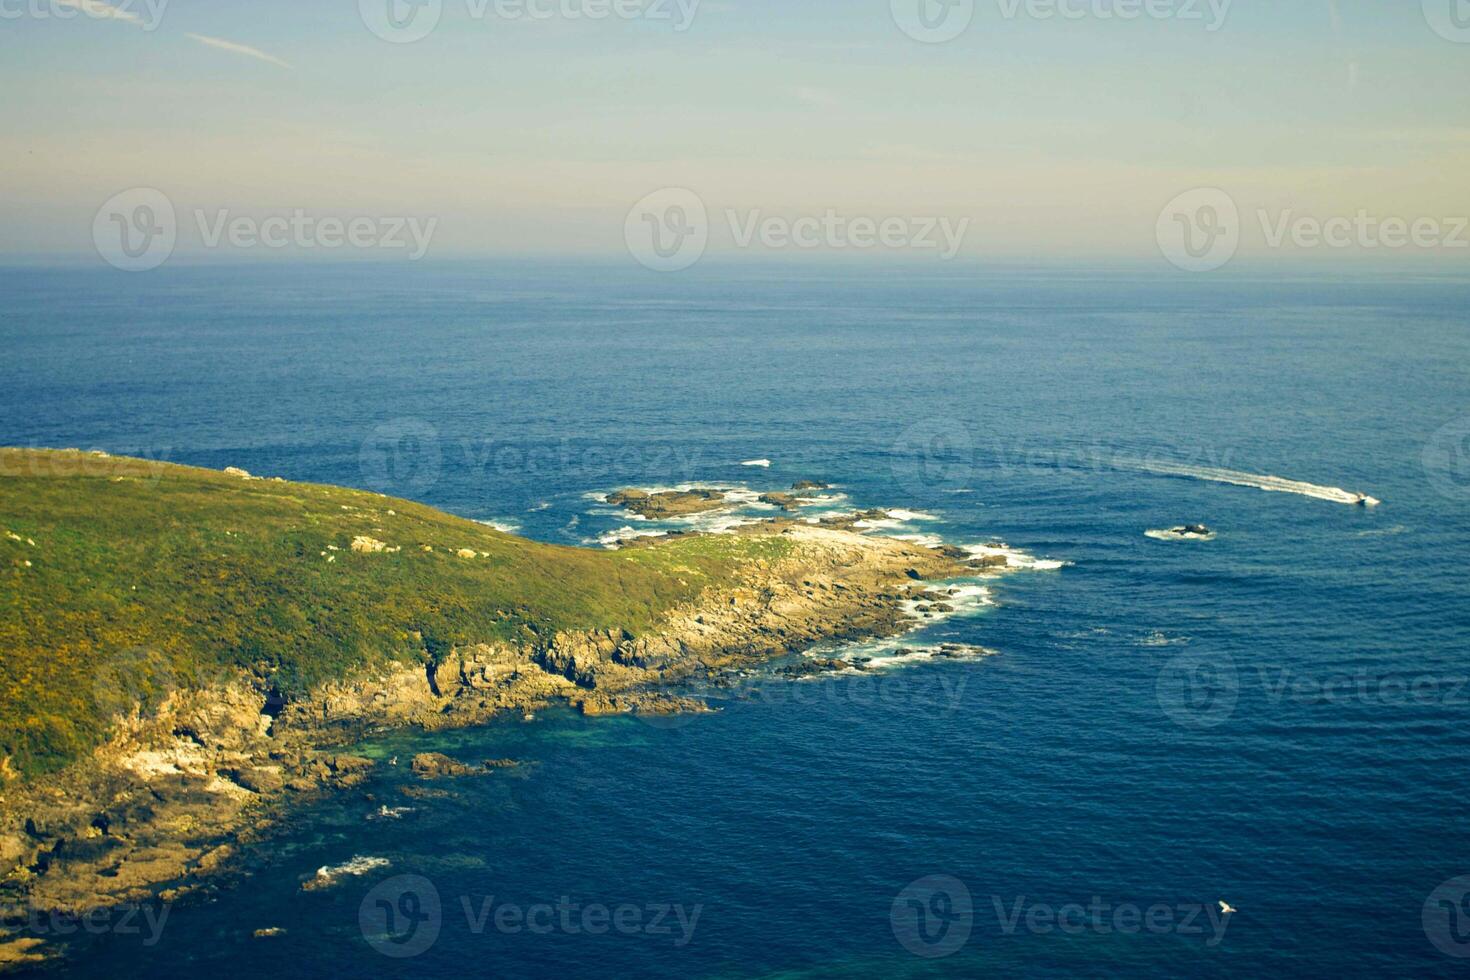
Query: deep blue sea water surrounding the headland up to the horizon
(1278, 718)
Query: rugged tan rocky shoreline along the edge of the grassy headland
(173, 800)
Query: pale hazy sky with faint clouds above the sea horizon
(1055, 137)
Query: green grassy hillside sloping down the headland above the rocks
(121, 578)
